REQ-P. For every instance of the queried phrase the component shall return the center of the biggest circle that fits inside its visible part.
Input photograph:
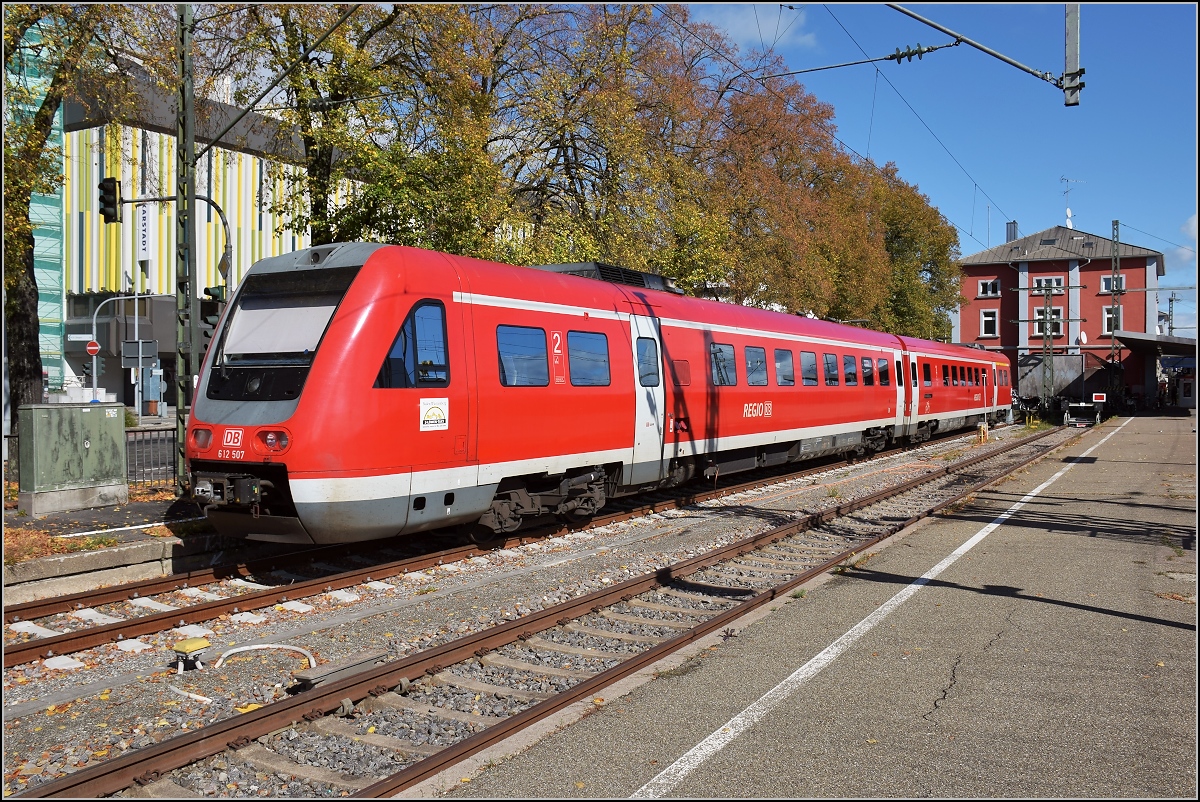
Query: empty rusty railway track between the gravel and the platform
(424, 714)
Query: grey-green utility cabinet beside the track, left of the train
(71, 457)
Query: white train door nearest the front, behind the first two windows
(647, 463)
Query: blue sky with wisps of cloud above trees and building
(987, 142)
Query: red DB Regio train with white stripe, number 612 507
(358, 391)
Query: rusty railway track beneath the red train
(68, 625)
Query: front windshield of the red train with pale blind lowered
(279, 319)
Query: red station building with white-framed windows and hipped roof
(1006, 310)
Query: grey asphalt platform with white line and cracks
(1037, 642)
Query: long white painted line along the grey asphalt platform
(676, 773)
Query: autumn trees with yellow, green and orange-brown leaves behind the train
(545, 134)
